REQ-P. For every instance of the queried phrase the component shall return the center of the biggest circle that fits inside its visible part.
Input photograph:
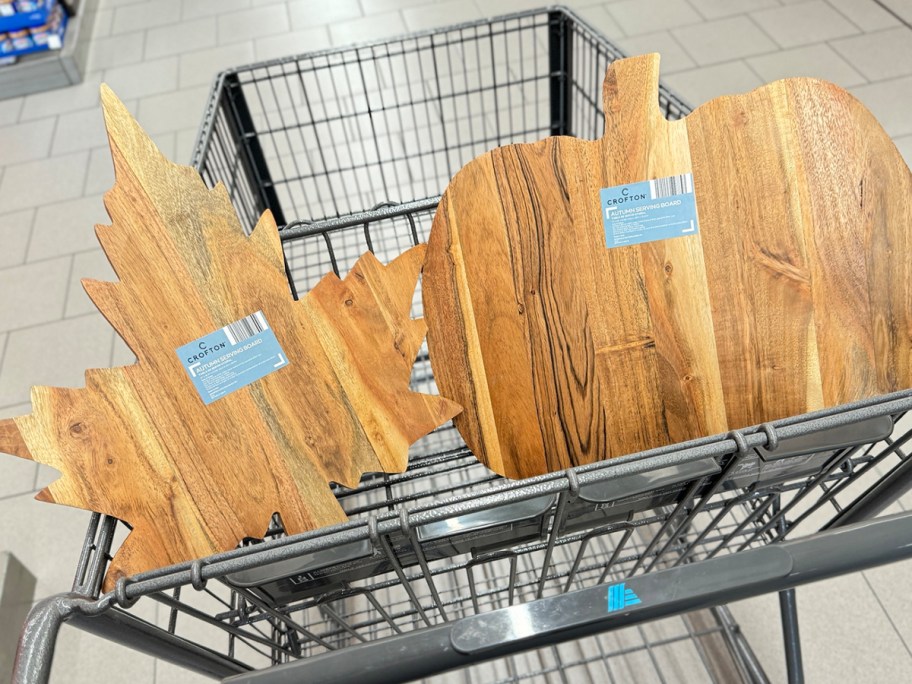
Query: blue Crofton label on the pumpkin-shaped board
(651, 210)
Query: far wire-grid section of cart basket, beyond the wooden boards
(334, 132)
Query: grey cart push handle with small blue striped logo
(577, 614)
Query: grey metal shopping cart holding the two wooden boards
(614, 571)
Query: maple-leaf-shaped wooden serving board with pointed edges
(193, 478)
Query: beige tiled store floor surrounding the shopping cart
(161, 55)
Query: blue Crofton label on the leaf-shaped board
(233, 357)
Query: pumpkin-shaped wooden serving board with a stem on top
(794, 293)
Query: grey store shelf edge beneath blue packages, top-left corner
(48, 70)
